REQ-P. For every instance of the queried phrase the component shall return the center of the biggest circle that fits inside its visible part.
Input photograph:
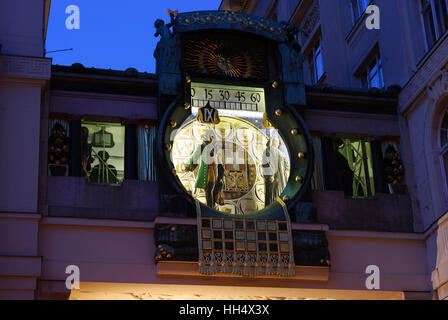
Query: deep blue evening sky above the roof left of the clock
(112, 34)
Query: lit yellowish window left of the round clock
(102, 152)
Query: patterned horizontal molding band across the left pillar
(25, 67)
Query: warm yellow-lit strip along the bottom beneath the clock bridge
(222, 291)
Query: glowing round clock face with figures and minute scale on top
(236, 166)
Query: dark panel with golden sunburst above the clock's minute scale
(224, 57)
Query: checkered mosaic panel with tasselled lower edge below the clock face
(247, 247)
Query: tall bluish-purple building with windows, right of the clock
(409, 50)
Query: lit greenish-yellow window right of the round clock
(353, 167)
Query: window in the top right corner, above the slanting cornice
(435, 19)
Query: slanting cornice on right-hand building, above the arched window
(430, 78)
